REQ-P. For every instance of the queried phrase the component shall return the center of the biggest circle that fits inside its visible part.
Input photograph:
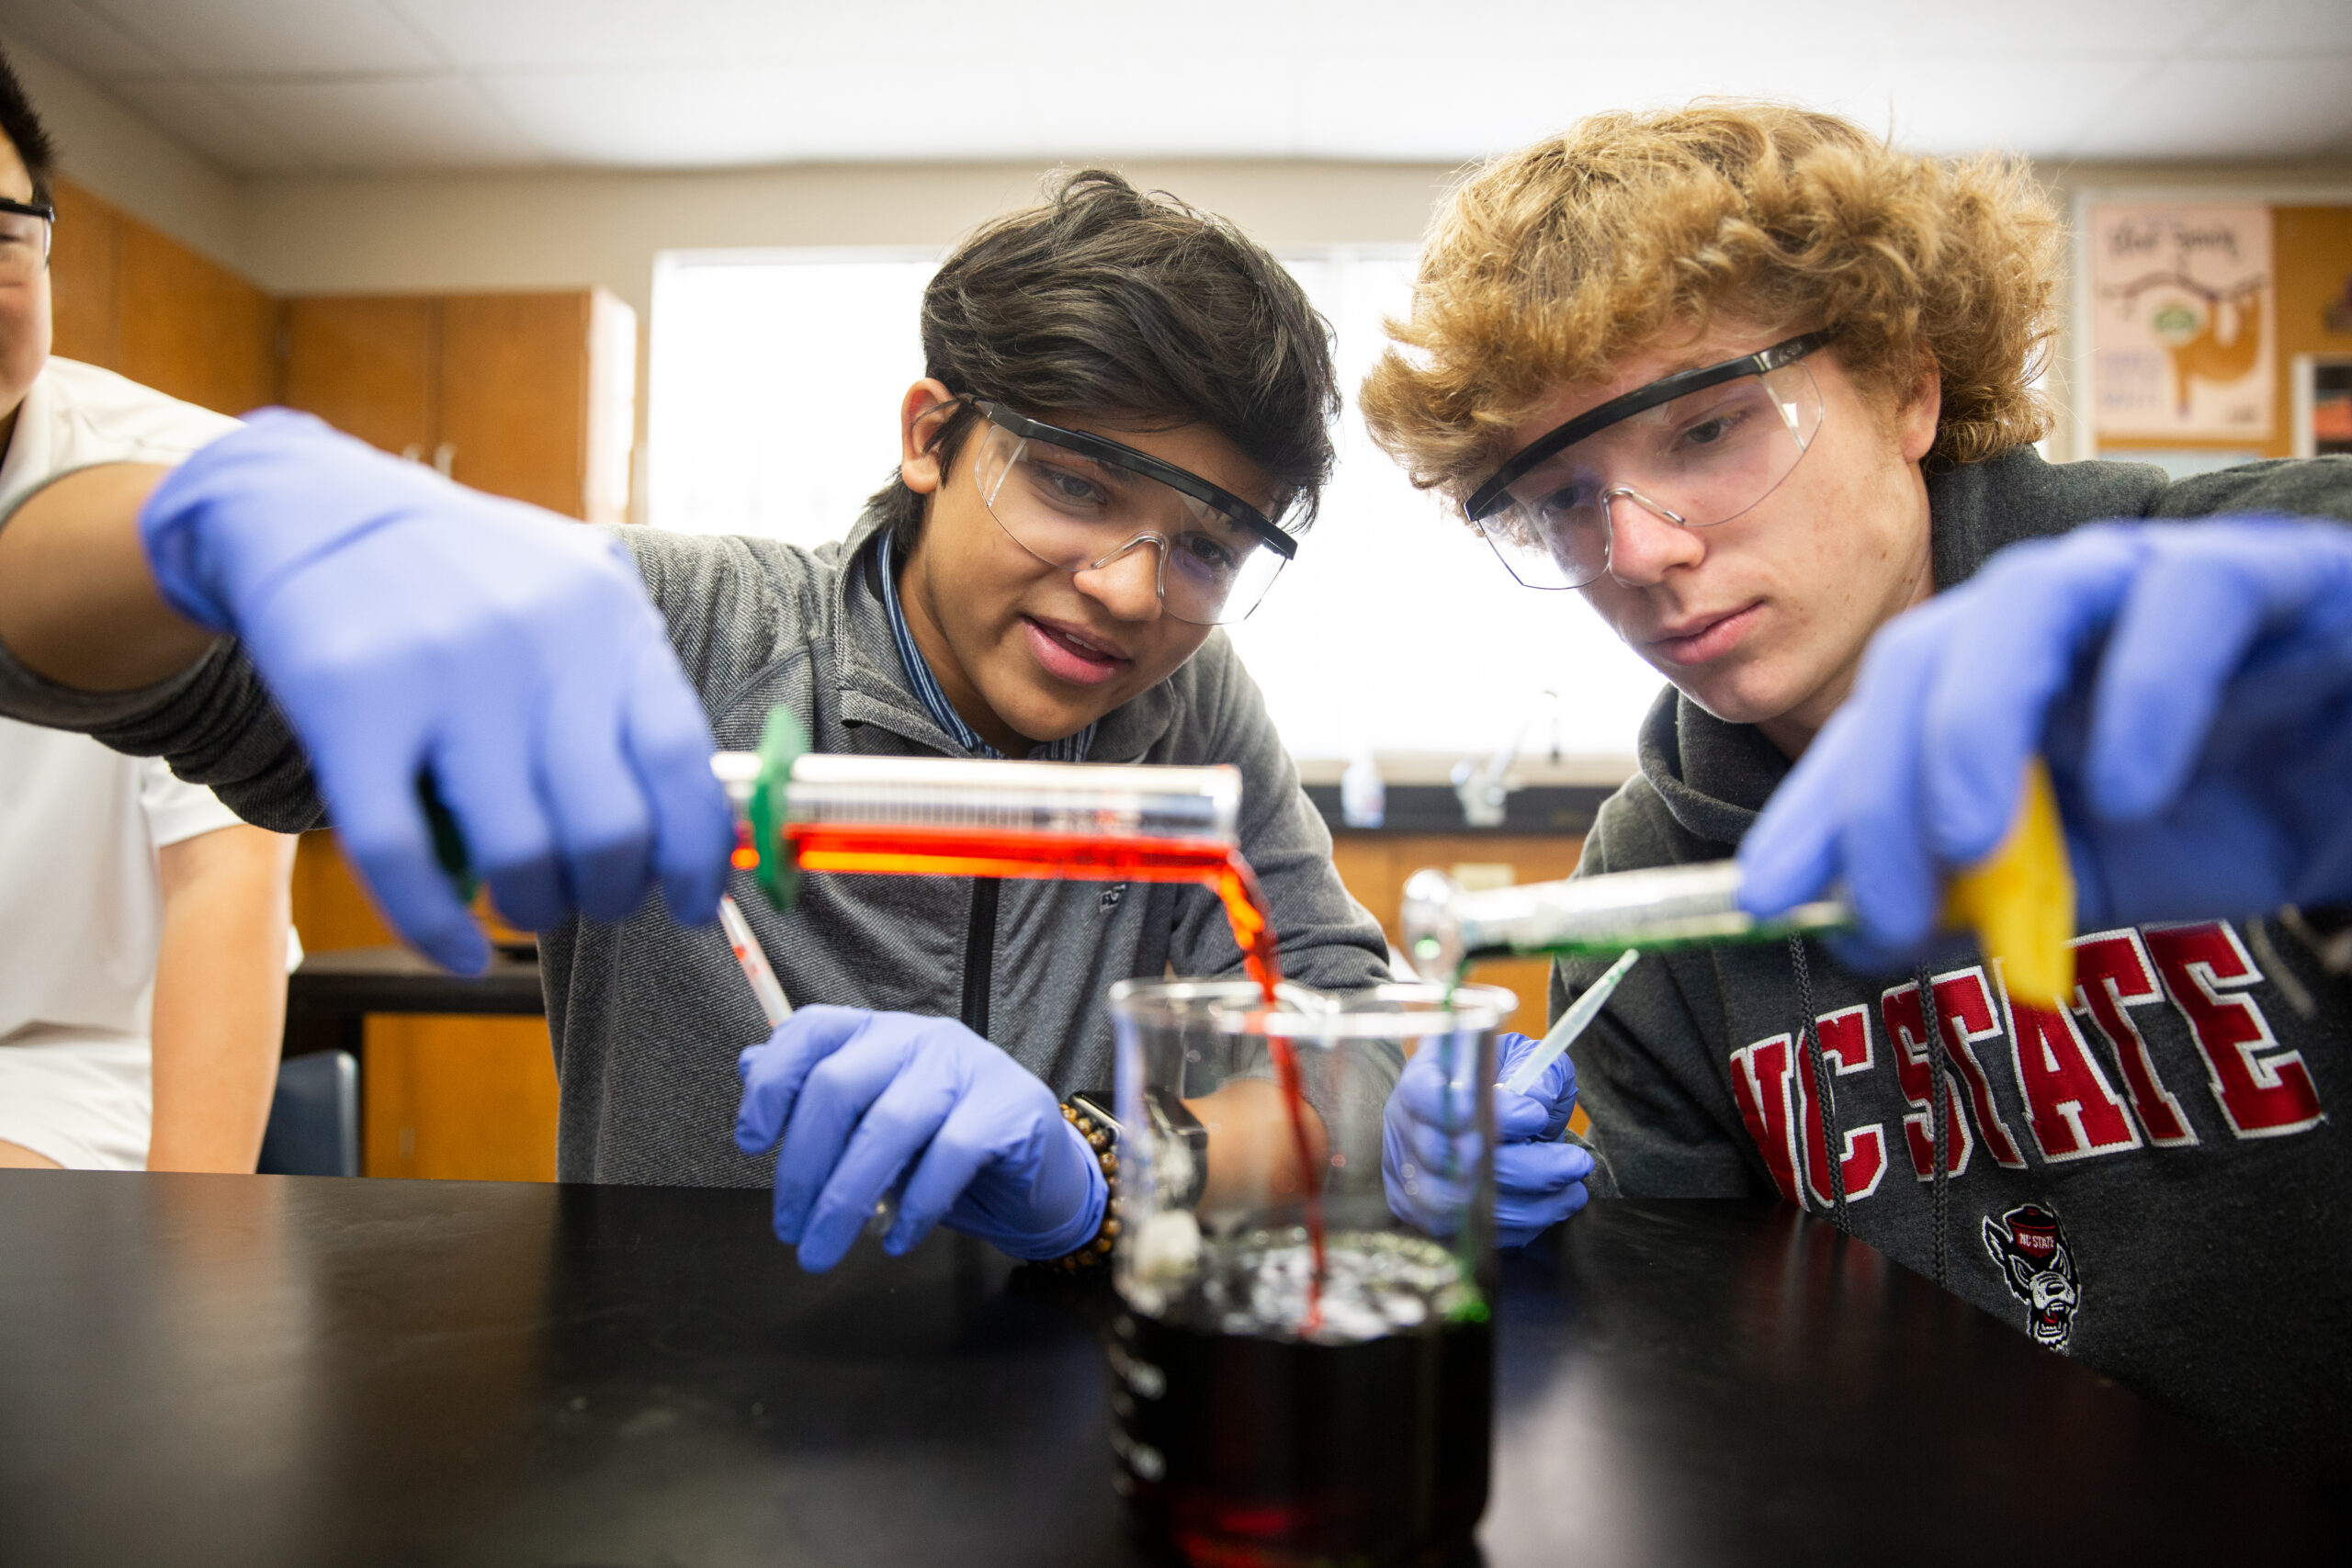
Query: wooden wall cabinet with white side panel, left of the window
(528, 396)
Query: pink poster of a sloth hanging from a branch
(2184, 321)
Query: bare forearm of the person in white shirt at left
(220, 998)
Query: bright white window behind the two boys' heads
(775, 410)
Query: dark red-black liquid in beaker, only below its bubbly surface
(1290, 1452)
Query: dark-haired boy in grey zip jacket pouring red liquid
(1118, 441)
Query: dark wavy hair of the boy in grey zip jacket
(1135, 309)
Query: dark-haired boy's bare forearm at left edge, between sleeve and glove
(79, 601)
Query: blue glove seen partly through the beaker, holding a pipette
(1537, 1179)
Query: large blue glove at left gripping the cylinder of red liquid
(408, 624)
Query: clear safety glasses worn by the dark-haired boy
(1081, 502)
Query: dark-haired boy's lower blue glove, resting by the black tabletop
(862, 1097)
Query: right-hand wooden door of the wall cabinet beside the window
(514, 396)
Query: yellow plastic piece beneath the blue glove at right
(2022, 902)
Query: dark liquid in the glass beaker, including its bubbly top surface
(1250, 1438)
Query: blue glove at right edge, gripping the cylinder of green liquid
(2189, 683)
